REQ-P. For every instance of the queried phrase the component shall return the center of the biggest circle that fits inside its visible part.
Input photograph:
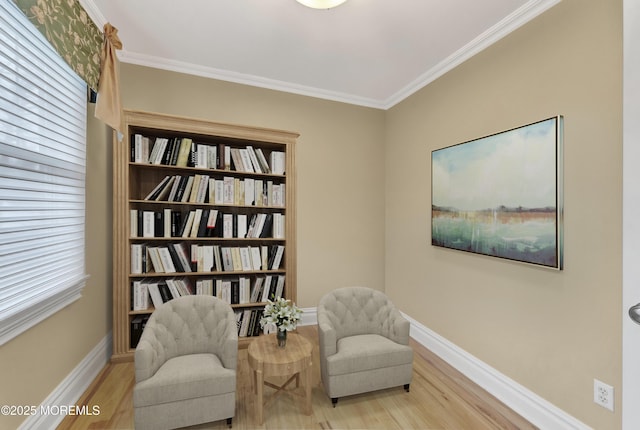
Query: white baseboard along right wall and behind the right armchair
(529, 405)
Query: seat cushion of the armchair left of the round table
(185, 377)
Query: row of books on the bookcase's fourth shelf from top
(182, 257)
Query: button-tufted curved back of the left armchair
(188, 325)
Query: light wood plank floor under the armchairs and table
(440, 398)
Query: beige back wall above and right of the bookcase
(339, 160)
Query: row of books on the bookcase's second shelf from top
(222, 191)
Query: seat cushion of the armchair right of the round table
(367, 352)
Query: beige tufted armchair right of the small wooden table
(364, 343)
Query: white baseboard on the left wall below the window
(71, 388)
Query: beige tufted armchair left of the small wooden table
(185, 364)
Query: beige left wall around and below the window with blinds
(34, 363)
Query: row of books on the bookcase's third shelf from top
(205, 223)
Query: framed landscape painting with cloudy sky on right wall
(501, 195)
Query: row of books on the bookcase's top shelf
(184, 152)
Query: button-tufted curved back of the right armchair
(359, 310)
